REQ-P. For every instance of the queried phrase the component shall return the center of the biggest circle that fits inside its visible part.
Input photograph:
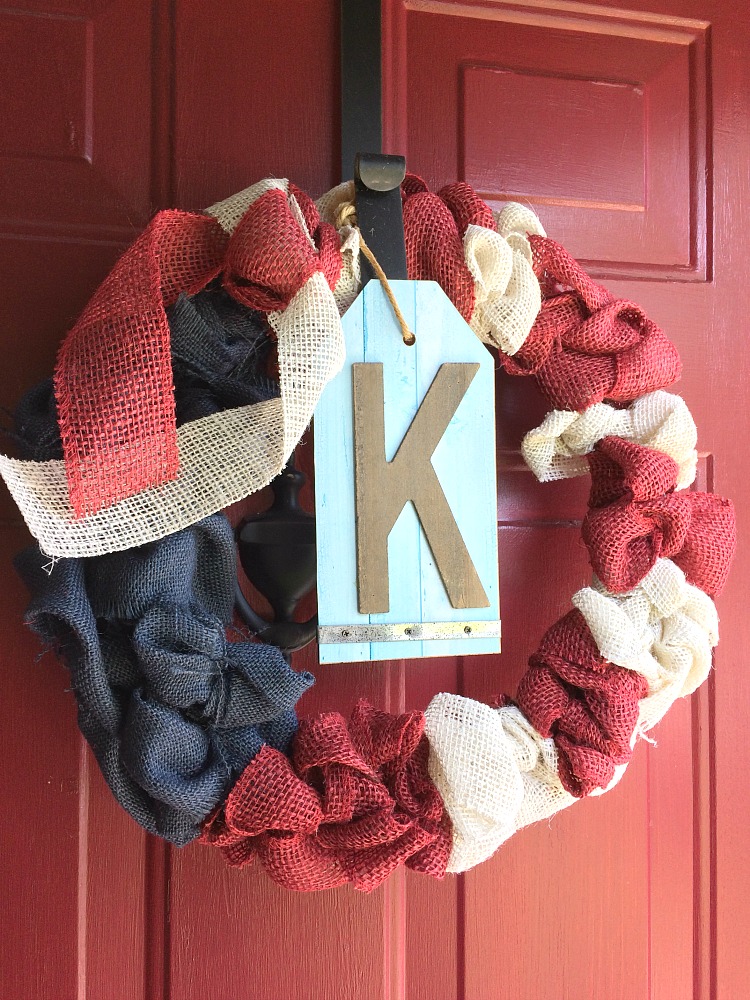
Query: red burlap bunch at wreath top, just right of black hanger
(434, 227)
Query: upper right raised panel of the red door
(597, 118)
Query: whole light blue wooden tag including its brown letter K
(405, 489)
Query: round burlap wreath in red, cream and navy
(162, 412)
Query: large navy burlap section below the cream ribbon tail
(172, 710)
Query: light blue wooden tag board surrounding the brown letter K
(464, 461)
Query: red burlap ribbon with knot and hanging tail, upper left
(113, 380)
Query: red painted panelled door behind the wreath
(625, 125)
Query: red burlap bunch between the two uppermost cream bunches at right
(586, 345)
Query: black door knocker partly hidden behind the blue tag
(277, 554)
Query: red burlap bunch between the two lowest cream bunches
(589, 706)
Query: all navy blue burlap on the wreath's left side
(172, 710)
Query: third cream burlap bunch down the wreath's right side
(665, 629)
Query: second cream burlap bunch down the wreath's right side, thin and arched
(557, 449)
